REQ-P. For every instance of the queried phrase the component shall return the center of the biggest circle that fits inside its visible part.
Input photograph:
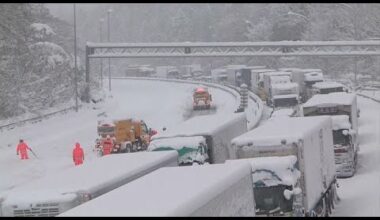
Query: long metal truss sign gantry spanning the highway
(229, 49)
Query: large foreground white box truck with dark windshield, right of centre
(292, 165)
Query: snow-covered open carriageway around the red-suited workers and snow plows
(158, 103)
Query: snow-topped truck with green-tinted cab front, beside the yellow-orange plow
(202, 139)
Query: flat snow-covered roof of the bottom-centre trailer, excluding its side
(172, 191)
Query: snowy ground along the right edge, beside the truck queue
(360, 194)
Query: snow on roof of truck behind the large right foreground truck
(335, 98)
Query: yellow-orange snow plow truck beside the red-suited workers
(128, 135)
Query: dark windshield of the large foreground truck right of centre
(271, 200)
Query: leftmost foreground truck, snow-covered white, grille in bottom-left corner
(52, 195)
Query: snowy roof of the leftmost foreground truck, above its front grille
(92, 175)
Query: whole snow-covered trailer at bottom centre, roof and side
(213, 190)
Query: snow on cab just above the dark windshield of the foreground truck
(282, 167)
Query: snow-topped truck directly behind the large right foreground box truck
(345, 136)
